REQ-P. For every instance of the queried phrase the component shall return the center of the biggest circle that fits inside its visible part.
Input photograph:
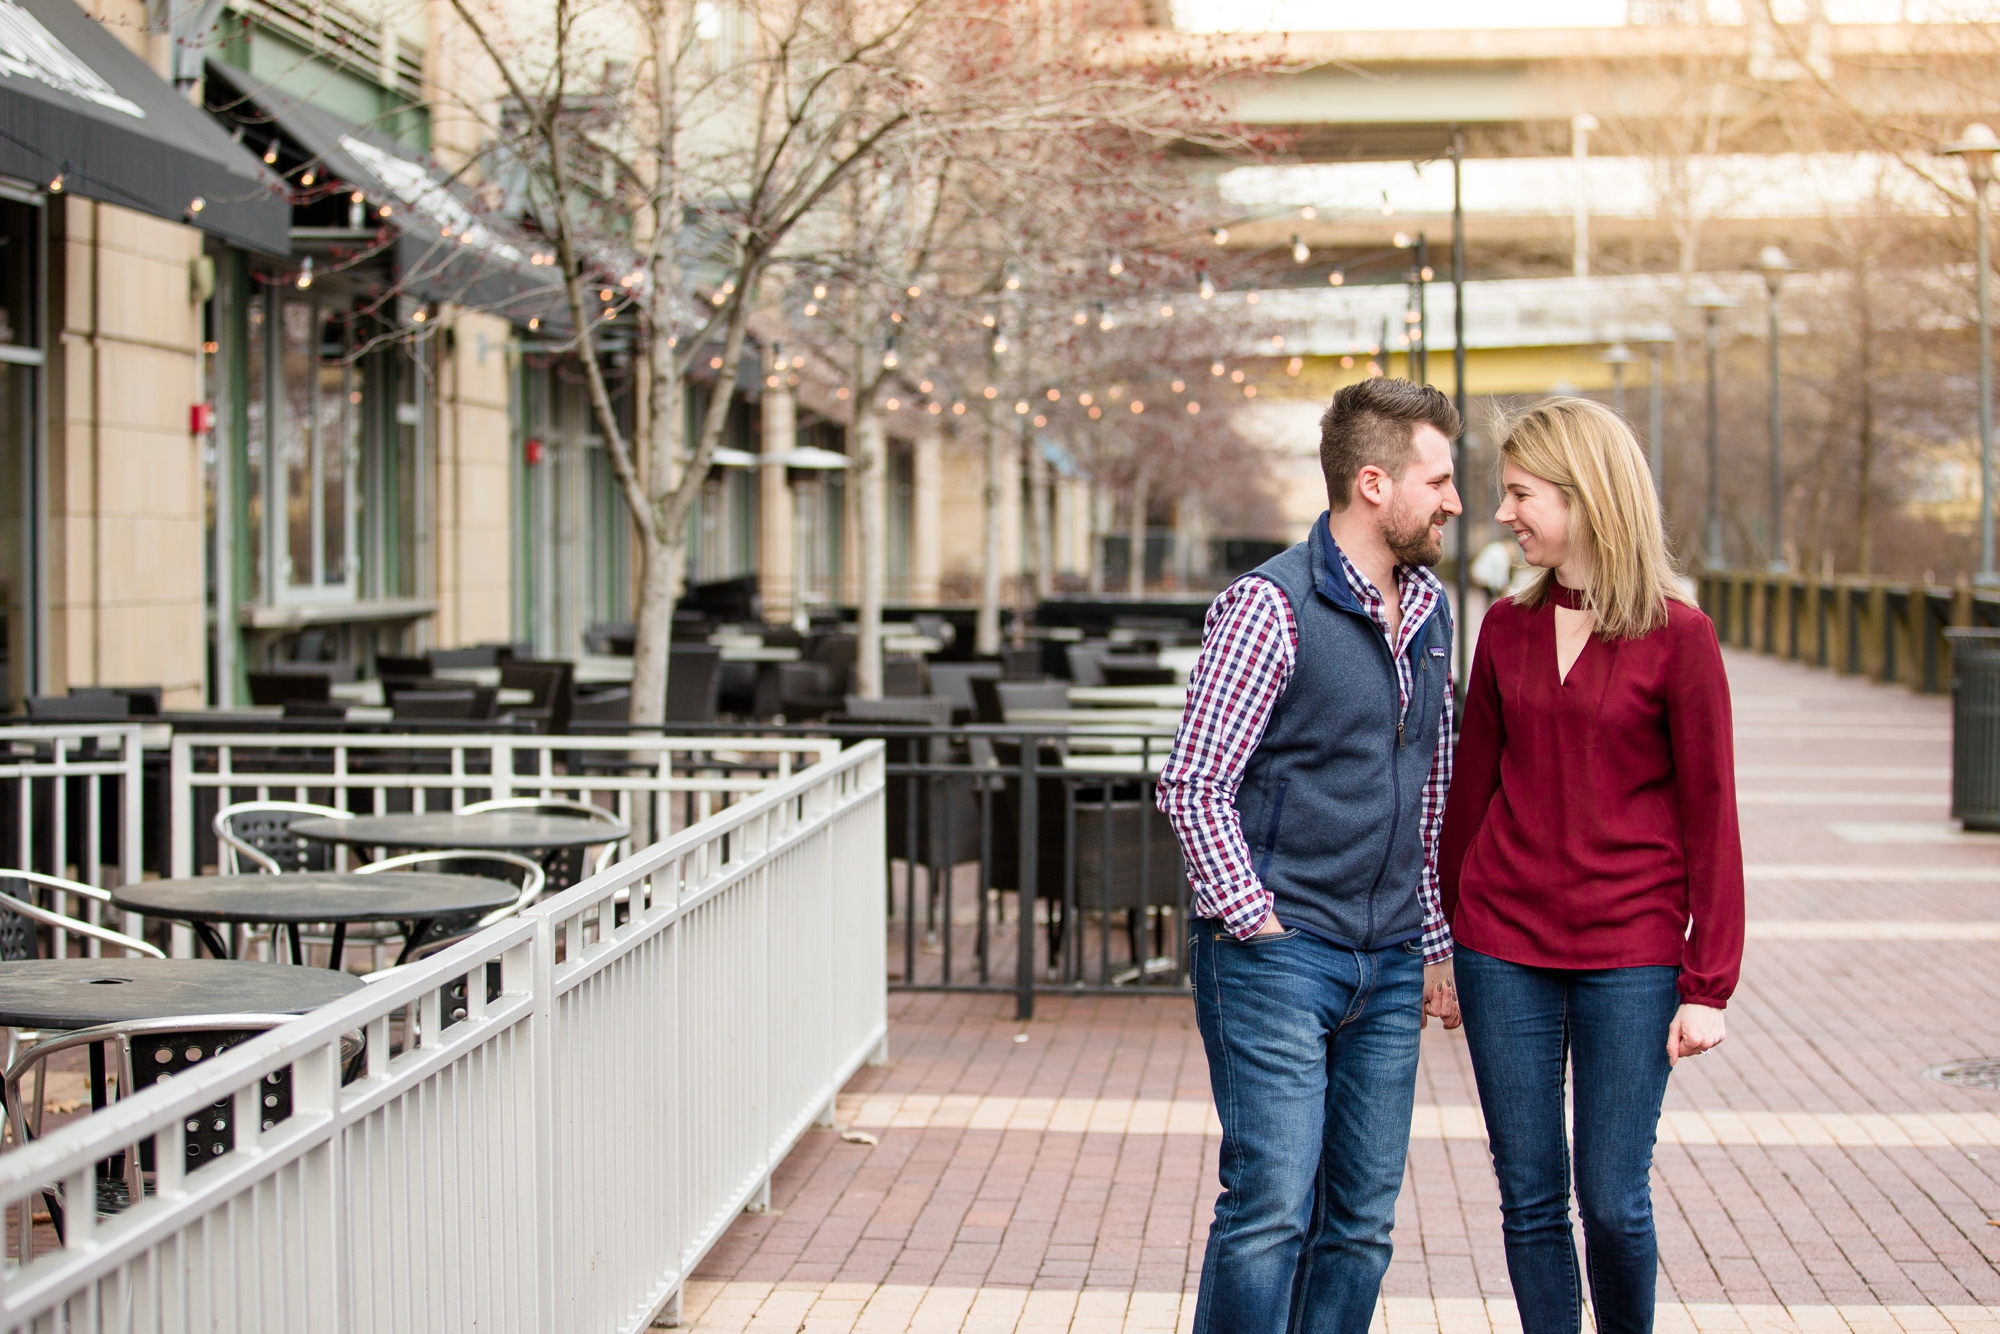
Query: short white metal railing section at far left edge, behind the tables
(73, 789)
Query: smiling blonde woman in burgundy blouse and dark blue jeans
(1591, 863)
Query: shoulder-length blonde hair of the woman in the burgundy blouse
(1589, 453)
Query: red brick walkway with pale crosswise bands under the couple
(1061, 1175)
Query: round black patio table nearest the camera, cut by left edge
(81, 993)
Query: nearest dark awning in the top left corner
(79, 107)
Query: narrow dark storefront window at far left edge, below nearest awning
(21, 457)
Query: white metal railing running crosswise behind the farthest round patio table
(637, 779)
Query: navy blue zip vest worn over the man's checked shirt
(1333, 797)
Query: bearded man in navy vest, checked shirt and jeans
(1307, 785)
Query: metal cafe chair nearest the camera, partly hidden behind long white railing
(147, 1053)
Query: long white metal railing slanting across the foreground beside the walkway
(557, 1161)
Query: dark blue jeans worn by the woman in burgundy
(1523, 1025)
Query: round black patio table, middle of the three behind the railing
(293, 901)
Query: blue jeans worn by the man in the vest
(1313, 1059)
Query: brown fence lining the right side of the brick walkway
(1889, 631)
